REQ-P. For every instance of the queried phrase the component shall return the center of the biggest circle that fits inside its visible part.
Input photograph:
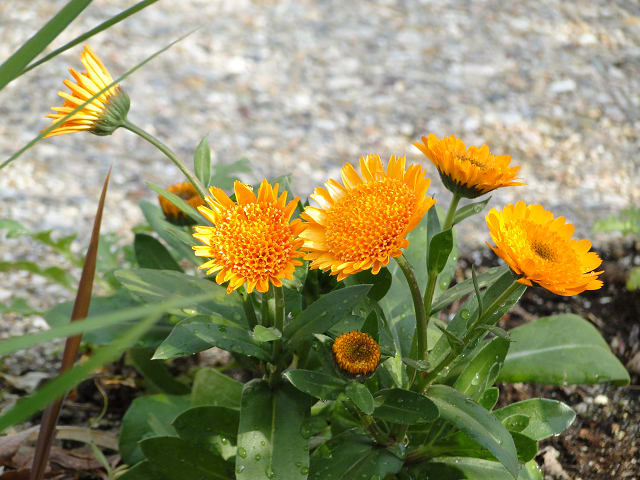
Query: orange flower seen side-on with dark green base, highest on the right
(468, 172)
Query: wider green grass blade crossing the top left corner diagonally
(13, 66)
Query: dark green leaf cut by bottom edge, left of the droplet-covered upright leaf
(194, 461)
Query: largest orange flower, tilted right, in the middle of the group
(364, 223)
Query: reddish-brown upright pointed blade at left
(80, 310)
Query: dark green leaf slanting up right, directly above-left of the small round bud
(322, 314)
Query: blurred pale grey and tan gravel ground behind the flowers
(301, 87)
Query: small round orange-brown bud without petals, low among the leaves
(356, 353)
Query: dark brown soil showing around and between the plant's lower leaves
(603, 442)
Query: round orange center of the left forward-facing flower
(254, 241)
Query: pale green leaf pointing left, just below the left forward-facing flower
(152, 286)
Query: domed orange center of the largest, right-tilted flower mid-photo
(367, 221)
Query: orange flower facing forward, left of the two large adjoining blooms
(252, 240)
